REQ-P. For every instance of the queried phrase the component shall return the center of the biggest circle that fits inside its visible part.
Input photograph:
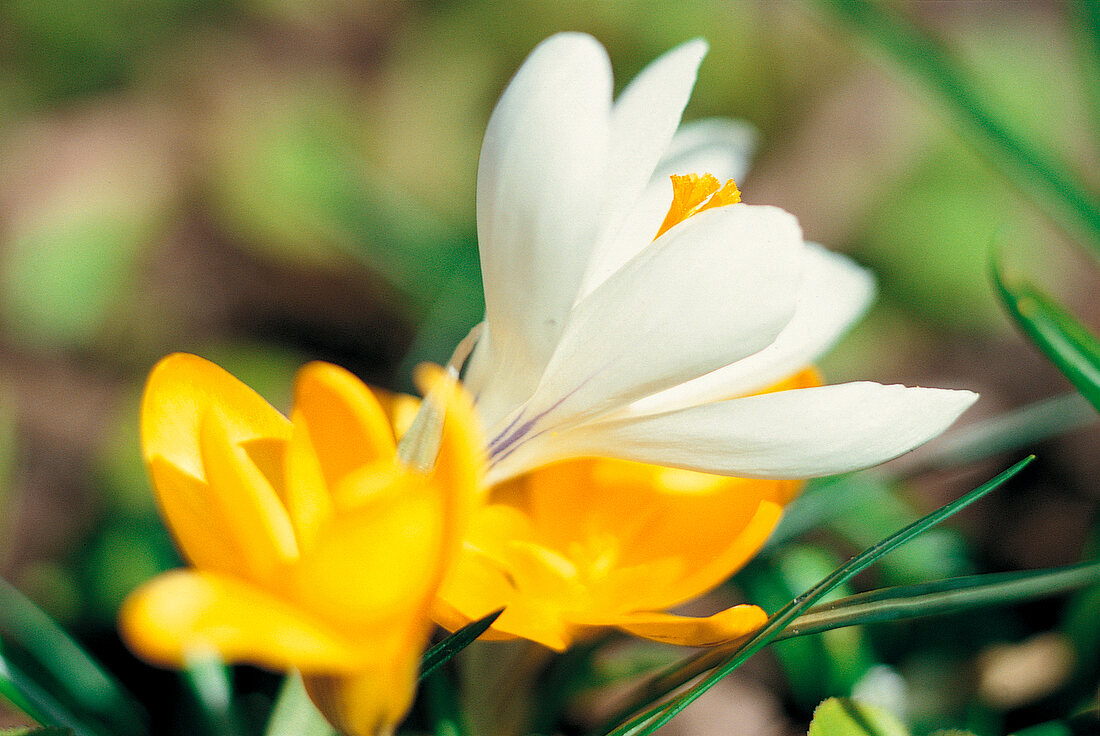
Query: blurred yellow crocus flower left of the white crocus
(314, 547)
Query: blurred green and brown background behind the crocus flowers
(270, 182)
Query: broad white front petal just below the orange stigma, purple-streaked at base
(713, 290)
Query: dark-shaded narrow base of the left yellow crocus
(370, 702)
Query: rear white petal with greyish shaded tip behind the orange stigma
(716, 147)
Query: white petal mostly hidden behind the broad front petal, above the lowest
(835, 293)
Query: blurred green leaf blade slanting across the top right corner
(1068, 201)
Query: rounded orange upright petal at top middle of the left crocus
(347, 425)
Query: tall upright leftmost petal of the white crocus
(541, 184)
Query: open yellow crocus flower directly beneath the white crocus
(588, 544)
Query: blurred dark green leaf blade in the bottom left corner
(80, 678)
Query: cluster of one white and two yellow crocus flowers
(644, 379)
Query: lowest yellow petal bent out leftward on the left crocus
(182, 613)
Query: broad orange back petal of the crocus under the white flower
(709, 525)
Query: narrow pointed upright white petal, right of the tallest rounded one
(644, 122)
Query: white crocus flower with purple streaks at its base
(600, 340)
